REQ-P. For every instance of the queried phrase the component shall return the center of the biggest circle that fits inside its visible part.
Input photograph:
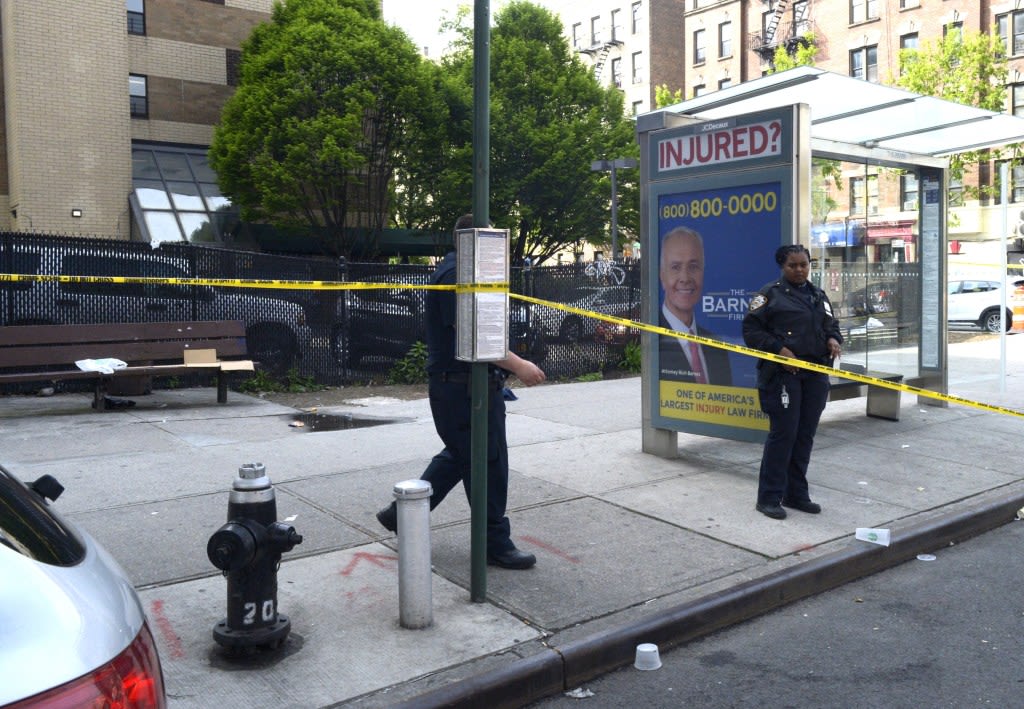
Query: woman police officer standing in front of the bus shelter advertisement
(793, 318)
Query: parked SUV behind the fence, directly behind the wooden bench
(277, 332)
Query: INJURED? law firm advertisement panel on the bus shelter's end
(721, 197)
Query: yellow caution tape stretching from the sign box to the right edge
(824, 369)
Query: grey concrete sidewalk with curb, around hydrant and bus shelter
(631, 549)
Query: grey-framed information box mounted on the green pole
(482, 324)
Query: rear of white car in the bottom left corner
(73, 633)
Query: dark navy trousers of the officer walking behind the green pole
(451, 408)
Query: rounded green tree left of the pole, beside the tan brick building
(319, 123)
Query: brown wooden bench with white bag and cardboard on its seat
(49, 353)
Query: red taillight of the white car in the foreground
(132, 681)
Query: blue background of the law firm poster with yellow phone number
(740, 245)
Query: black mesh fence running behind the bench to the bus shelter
(333, 337)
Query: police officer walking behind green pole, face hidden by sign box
(451, 407)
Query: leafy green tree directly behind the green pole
(549, 121)
